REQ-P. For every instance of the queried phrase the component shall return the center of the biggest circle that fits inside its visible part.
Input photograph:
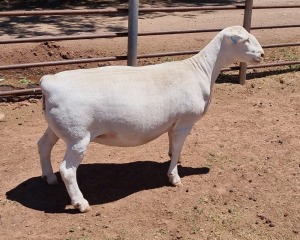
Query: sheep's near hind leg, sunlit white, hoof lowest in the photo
(68, 169)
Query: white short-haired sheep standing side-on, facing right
(129, 106)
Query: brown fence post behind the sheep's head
(247, 26)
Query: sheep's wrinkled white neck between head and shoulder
(210, 60)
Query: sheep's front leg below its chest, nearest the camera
(177, 138)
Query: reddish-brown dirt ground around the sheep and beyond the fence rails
(240, 164)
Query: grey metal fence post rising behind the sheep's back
(133, 15)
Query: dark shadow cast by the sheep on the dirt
(99, 183)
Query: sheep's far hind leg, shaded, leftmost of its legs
(45, 145)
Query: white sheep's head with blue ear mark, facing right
(242, 46)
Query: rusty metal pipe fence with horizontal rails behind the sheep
(247, 12)
